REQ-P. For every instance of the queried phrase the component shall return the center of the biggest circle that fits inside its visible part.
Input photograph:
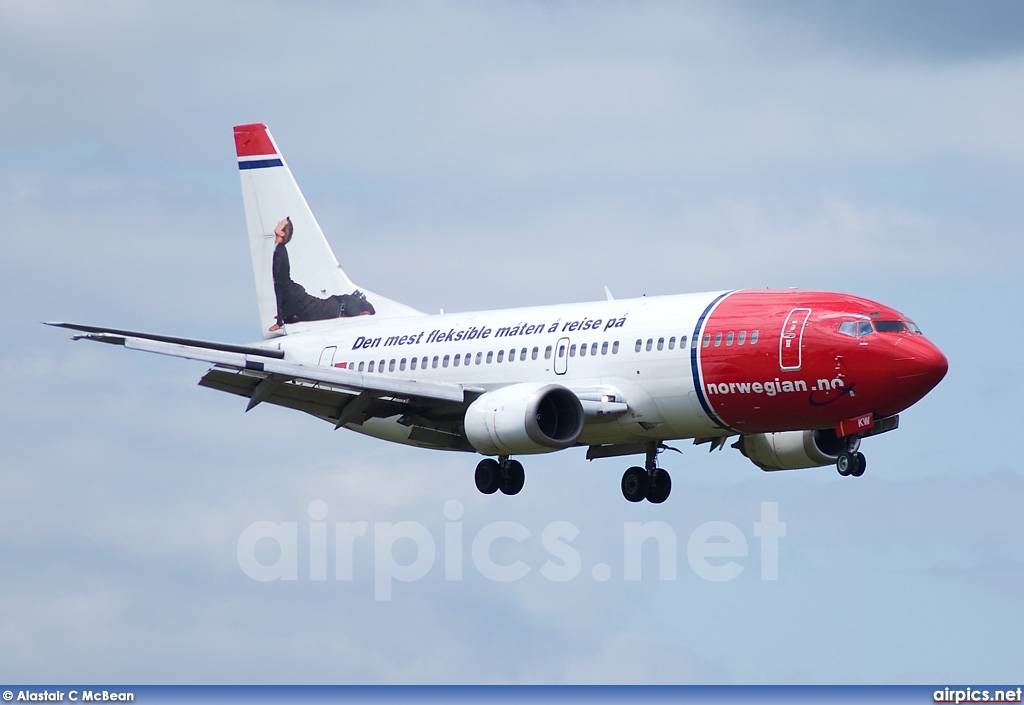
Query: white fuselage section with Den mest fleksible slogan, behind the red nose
(588, 348)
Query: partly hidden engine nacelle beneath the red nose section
(794, 449)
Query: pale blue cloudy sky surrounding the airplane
(466, 156)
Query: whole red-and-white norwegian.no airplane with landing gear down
(799, 379)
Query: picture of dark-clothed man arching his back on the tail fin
(294, 304)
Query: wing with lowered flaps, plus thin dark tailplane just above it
(434, 411)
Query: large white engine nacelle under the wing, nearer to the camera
(525, 419)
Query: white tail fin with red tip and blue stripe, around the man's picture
(306, 283)
